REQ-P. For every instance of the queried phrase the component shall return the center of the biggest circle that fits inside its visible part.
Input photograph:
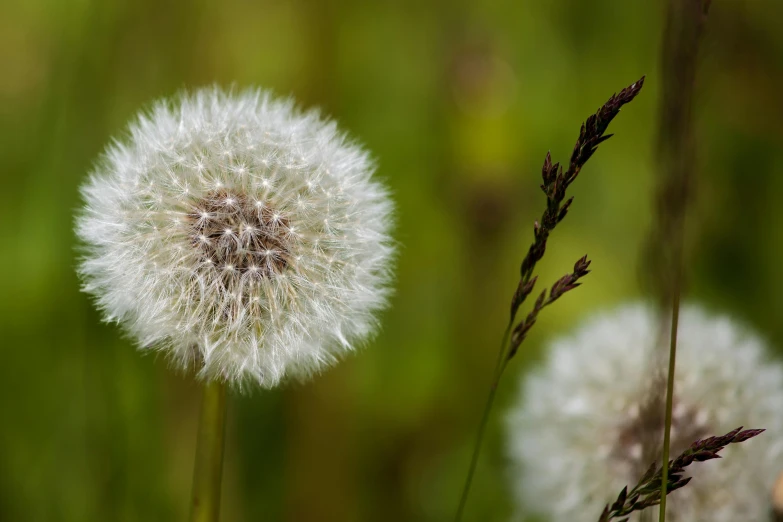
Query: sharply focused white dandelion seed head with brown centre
(238, 236)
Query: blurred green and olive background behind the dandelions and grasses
(459, 101)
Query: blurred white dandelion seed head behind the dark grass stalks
(587, 423)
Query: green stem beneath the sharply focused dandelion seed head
(208, 468)
